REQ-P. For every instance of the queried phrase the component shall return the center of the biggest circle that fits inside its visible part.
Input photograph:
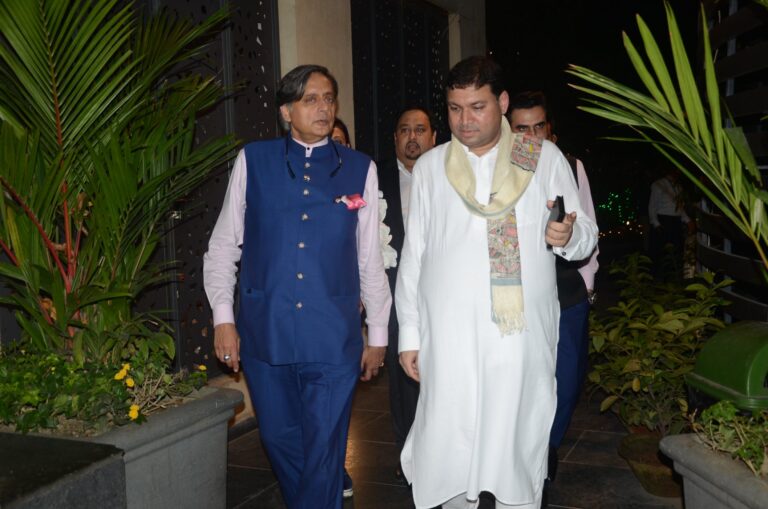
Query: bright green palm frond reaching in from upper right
(672, 117)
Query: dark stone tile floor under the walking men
(591, 474)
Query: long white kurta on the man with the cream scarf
(487, 401)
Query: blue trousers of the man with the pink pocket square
(303, 412)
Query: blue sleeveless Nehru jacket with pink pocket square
(299, 279)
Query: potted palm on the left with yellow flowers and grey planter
(97, 144)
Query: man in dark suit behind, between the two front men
(414, 135)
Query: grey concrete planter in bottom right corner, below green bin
(712, 480)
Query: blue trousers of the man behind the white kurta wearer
(572, 350)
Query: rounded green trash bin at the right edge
(733, 365)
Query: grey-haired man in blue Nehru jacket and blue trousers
(295, 217)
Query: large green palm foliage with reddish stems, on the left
(97, 123)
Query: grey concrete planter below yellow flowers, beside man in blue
(178, 457)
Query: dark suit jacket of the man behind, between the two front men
(389, 185)
